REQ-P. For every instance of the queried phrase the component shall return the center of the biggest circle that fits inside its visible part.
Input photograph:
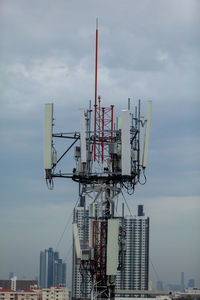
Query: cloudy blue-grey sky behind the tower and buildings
(147, 50)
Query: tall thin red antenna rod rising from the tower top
(95, 104)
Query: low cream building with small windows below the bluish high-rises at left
(55, 293)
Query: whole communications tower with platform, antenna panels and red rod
(110, 157)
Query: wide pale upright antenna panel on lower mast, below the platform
(112, 247)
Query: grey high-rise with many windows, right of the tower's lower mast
(135, 270)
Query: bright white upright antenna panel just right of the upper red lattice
(126, 146)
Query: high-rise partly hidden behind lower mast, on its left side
(81, 287)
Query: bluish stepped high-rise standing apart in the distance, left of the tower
(52, 269)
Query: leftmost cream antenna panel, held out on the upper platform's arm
(48, 128)
